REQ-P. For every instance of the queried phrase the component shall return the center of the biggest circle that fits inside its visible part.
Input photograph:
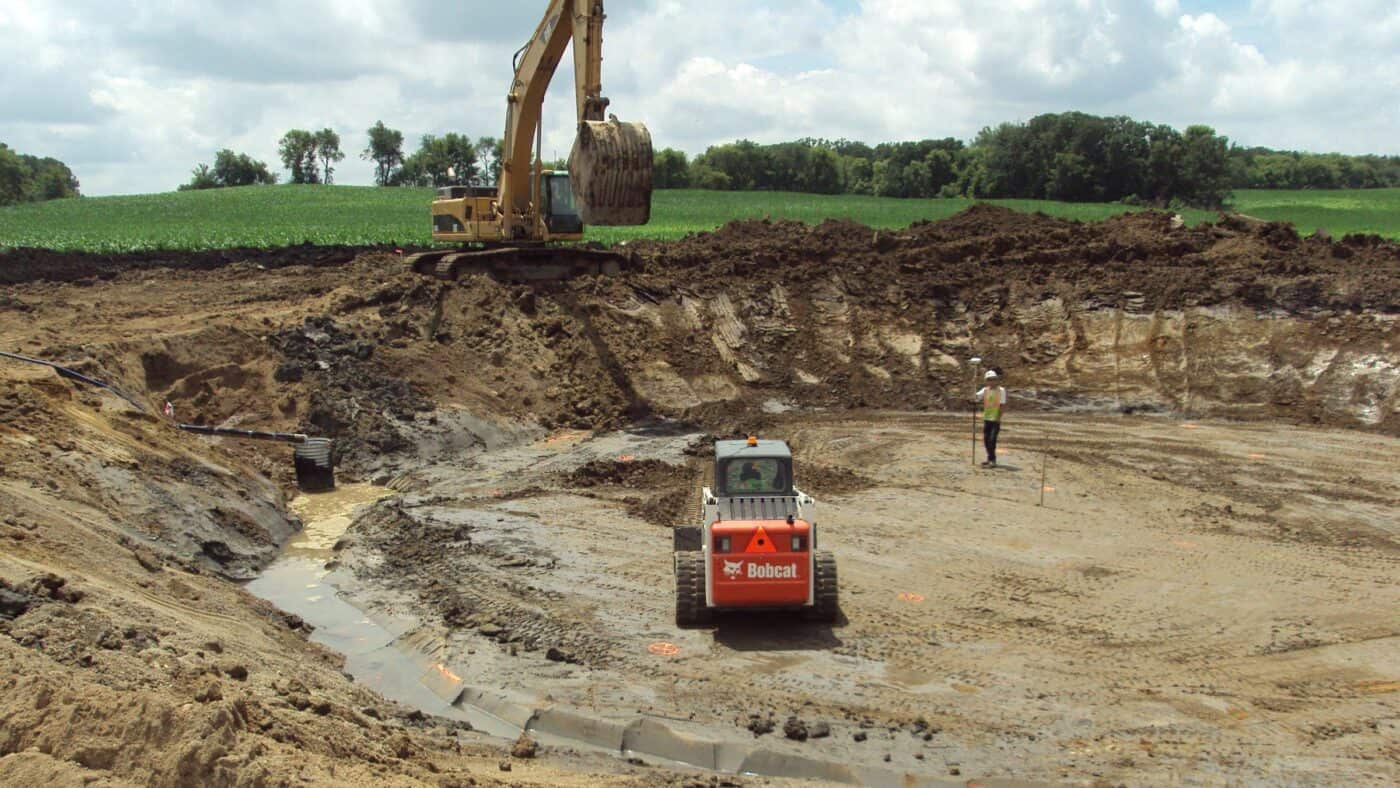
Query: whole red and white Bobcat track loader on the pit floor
(757, 547)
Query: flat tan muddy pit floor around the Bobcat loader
(1136, 626)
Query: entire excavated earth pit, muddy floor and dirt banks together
(1209, 593)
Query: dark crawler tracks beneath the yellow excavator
(520, 264)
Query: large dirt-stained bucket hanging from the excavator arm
(610, 170)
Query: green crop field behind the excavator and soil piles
(278, 216)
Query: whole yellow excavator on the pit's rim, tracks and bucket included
(516, 229)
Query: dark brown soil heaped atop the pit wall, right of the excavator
(990, 250)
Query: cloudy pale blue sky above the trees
(134, 93)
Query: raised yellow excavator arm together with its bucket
(611, 163)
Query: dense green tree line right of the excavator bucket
(1072, 157)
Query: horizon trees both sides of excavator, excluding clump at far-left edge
(1070, 157)
